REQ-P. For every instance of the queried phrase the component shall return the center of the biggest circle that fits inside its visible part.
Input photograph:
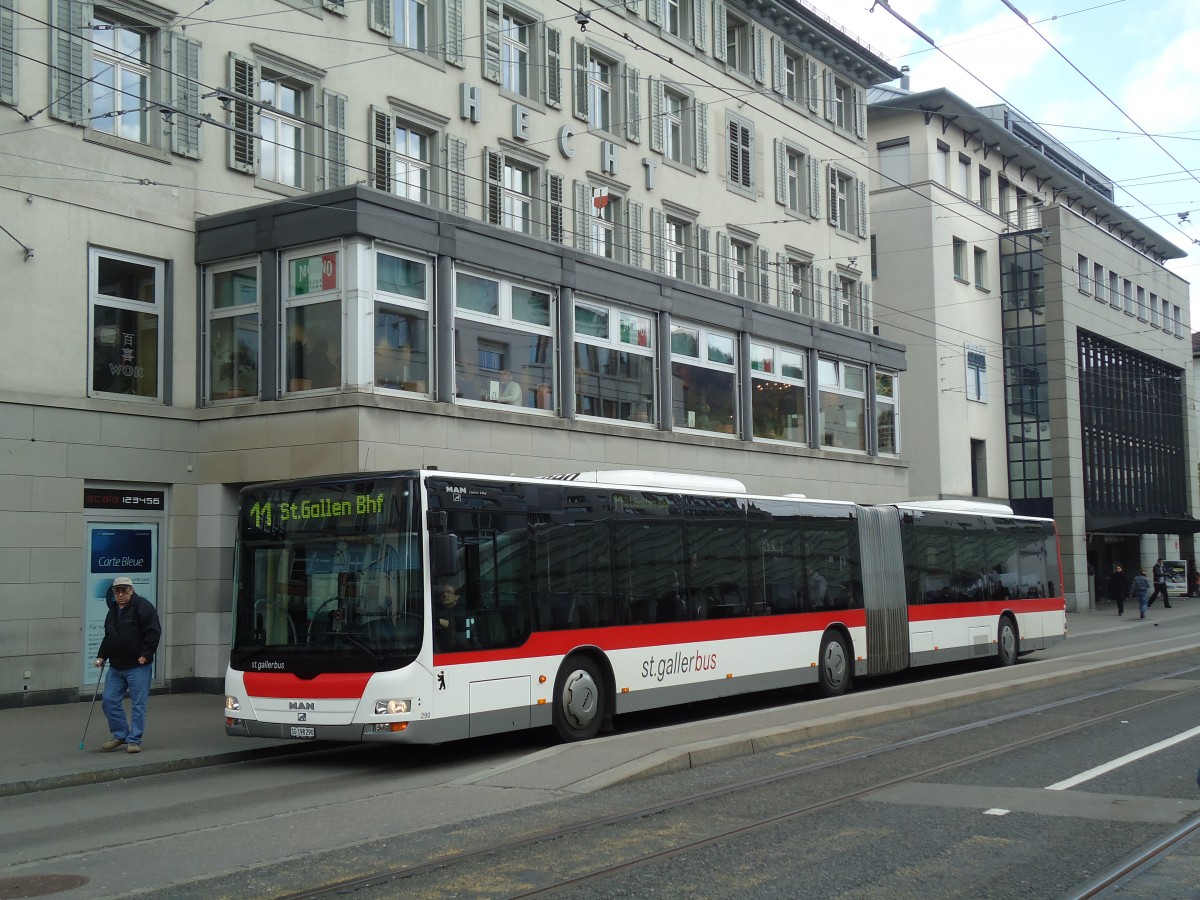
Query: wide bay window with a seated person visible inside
(505, 343)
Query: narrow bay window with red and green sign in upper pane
(314, 320)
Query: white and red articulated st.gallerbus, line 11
(428, 607)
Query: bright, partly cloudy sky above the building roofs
(1139, 75)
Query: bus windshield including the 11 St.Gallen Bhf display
(329, 578)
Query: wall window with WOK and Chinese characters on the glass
(127, 305)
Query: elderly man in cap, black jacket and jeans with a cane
(131, 638)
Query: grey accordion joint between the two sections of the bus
(884, 590)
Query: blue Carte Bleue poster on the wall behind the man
(115, 549)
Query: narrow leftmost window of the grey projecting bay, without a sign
(233, 334)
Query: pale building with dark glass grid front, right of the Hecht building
(1049, 347)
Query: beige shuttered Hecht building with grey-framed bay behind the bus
(322, 239)
